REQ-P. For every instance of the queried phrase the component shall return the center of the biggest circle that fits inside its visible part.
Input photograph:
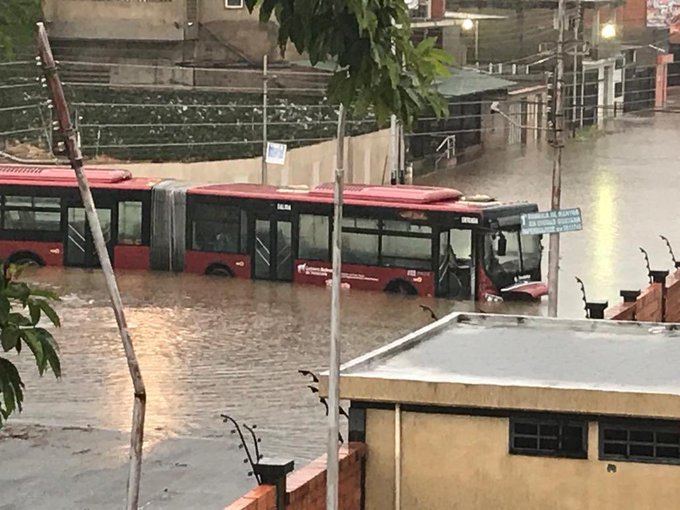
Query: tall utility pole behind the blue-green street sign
(558, 143)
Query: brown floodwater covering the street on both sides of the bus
(208, 346)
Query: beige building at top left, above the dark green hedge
(204, 32)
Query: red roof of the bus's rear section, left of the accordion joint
(65, 177)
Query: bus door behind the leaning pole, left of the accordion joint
(79, 243)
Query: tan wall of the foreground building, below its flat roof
(462, 462)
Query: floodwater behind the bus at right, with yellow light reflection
(625, 185)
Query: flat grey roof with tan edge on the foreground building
(528, 363)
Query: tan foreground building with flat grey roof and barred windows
(505, 412)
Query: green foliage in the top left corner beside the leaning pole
(17, 25)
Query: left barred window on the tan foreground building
(549, 436)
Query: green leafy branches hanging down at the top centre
(379, 67)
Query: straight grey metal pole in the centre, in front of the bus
(334, 369)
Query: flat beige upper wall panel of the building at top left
(93, 19)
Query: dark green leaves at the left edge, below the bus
(21, 308)
